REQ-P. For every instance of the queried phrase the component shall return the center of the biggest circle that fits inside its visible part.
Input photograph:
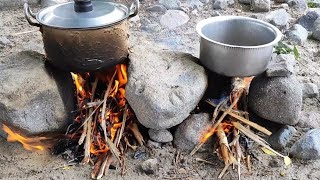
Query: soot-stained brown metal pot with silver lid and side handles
(84, 36)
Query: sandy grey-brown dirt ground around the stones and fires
(17, 163)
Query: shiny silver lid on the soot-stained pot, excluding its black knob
(65, 16)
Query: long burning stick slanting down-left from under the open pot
(217, 123)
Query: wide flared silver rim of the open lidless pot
(201, 24)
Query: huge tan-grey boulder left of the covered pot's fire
(35, 98)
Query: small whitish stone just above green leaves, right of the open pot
(297, 34)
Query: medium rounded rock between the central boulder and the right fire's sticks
(189, 133)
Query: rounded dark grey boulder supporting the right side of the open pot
(278, 99)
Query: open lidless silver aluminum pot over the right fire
(236, 46)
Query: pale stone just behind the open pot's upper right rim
(279, 18)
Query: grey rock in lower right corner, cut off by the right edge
(308, 147)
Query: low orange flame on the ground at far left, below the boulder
(31, 144)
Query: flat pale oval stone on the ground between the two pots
(173, 19)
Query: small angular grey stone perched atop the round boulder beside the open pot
(281, 65)
